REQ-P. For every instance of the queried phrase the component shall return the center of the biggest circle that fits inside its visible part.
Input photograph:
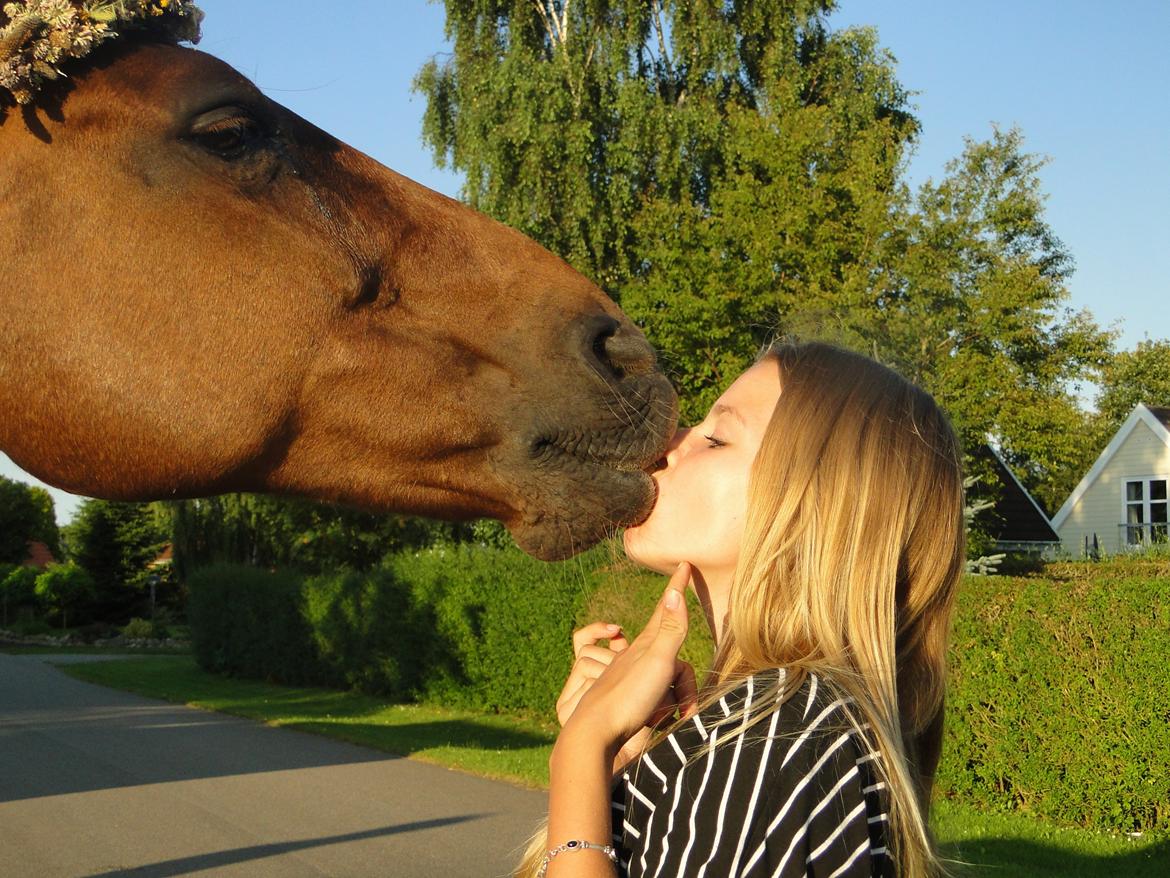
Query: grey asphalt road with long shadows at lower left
(101, 783)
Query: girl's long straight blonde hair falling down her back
(850, 561)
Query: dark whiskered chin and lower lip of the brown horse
(595, 505)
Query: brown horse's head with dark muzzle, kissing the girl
(204, 293)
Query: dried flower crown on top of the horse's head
(42, 35)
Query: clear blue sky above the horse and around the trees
(1086, 83)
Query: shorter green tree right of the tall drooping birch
(971, 300)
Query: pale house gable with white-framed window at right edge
(1121, 503)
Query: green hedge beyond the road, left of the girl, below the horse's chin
(465, 626)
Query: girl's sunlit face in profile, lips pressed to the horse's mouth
(704, 488)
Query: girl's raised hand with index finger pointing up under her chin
(632, 687)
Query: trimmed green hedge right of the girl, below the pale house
(1059, 701)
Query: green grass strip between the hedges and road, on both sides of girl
(981, 846)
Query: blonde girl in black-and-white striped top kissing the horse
(817, 512)
